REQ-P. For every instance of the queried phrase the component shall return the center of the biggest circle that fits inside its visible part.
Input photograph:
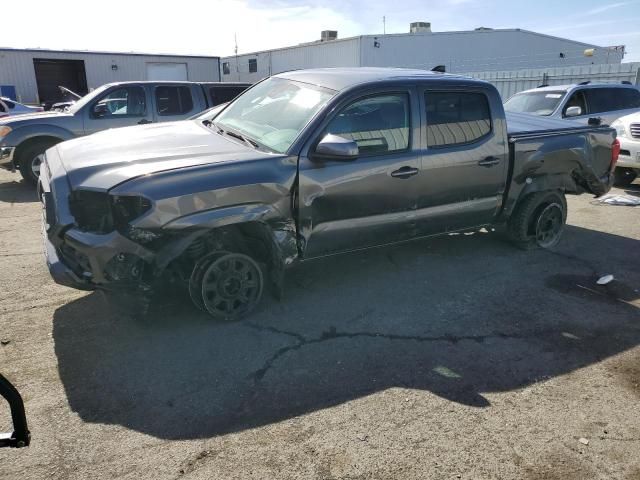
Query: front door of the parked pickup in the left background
(119, 106)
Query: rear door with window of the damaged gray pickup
(464, 166)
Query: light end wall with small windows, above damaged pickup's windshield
(337, 53)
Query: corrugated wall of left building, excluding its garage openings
(16, 68)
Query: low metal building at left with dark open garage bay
(33, 75)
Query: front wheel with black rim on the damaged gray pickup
(226, 285)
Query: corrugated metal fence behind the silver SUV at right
(514, 81)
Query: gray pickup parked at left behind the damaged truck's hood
(24, 139)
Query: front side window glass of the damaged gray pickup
(378, 124)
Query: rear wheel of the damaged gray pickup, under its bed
(538, 220)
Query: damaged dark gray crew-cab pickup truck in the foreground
(303, 165)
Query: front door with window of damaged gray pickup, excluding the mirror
(367, 201)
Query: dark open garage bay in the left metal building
(50, 73)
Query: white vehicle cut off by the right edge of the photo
(628, 167)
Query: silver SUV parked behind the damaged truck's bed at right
(580, 102)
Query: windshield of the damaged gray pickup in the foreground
(274, 112)
